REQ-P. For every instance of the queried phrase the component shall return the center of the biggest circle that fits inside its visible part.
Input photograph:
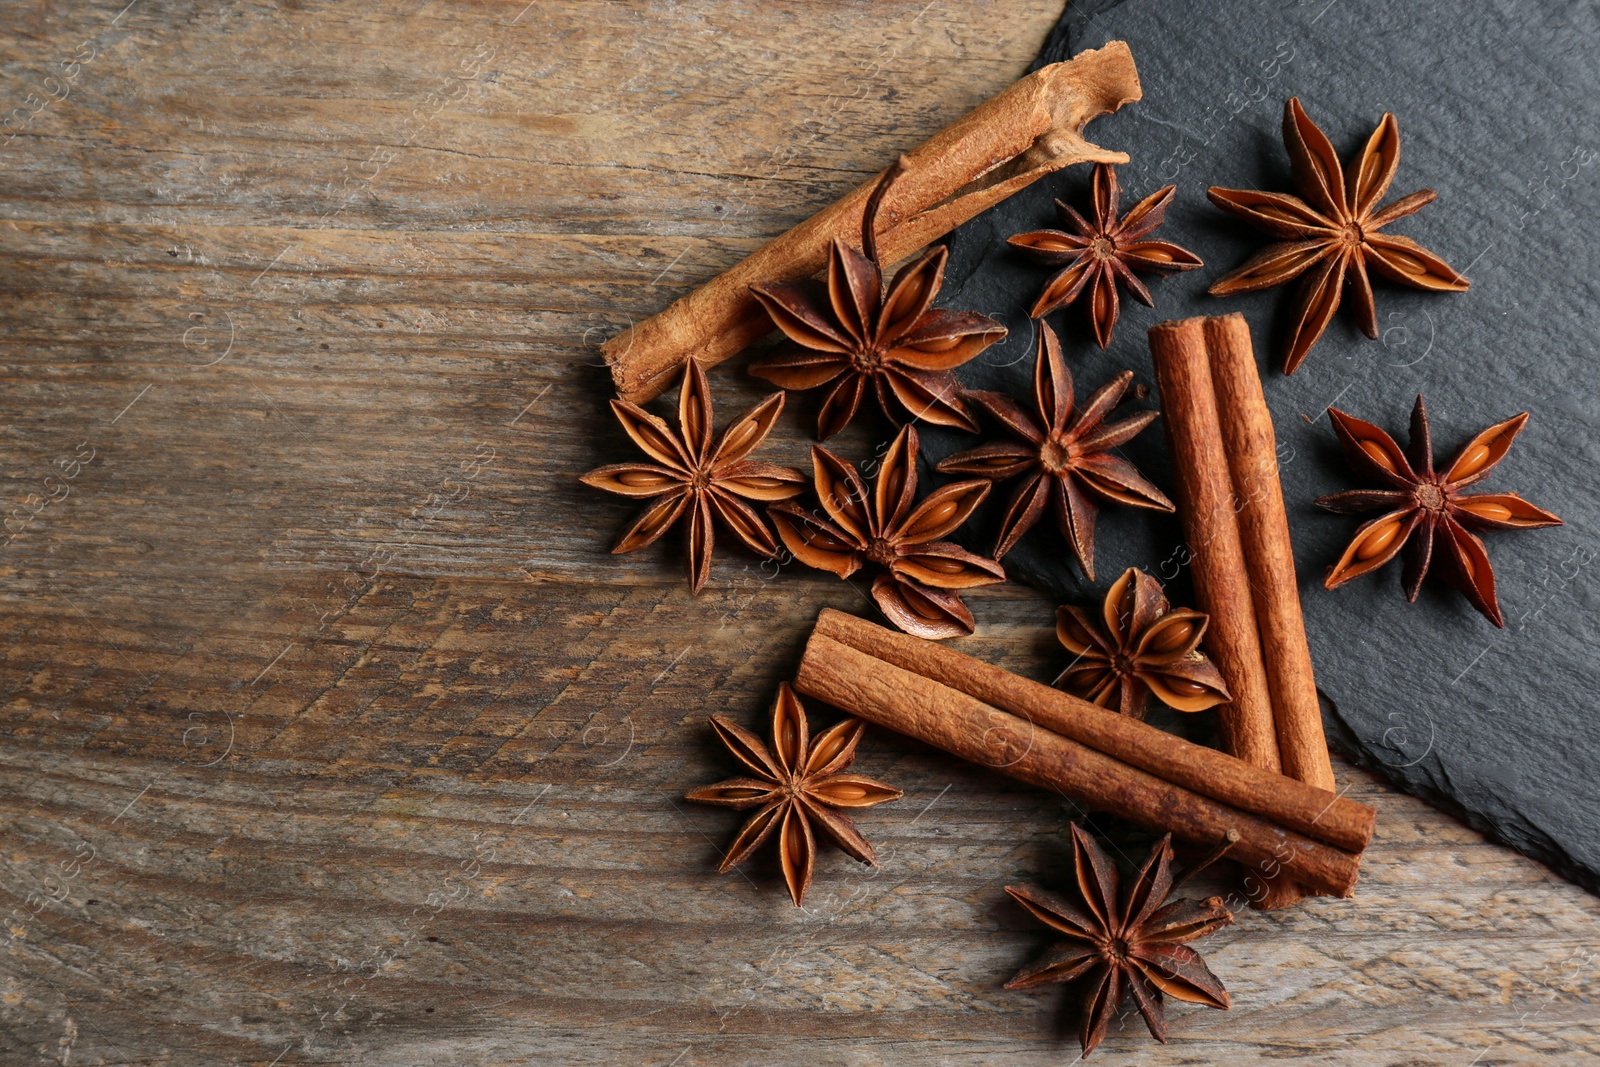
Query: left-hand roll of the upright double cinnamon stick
(1206, 503)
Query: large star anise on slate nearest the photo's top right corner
(1330, 233)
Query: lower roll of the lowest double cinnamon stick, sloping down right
(974, 730)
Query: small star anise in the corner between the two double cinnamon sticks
(1140, 645)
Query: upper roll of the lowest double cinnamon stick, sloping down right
(1201, 770)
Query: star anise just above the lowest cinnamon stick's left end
(892, 530)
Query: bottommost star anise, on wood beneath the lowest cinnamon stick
(1126, 945)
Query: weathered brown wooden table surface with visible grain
(332, 733)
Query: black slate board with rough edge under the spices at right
(1498, 113)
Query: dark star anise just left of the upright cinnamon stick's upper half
(1065, 455)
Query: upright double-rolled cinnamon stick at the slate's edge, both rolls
(1231, 503)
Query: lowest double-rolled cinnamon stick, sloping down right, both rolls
(1049, 738)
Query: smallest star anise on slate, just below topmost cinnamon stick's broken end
(1098, 255)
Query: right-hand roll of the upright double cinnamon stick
(1265, 530)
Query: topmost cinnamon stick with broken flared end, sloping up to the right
(1033, 129)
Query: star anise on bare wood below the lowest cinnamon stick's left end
(796, 785)
